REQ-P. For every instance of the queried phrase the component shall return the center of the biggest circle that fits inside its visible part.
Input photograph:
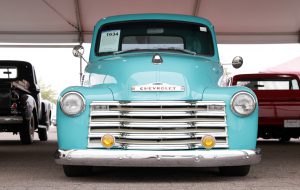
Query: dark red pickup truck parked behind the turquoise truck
(279, 103)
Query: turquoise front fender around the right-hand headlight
(242, 131)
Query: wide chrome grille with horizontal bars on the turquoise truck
(158, 125)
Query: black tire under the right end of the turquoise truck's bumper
(234, 170)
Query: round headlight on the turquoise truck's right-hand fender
(243, 103)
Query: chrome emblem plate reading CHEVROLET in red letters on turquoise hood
(157, 87)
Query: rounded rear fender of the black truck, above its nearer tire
(28, 105)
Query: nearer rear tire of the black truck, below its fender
(27, 131)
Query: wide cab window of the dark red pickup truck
(270, 84)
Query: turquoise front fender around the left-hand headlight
(73, 131)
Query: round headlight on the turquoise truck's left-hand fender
(72, 103)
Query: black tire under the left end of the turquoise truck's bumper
(77, 171)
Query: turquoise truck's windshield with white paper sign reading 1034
(144, 35)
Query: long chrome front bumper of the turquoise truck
(138, 158)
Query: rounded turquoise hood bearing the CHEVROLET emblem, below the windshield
(181, 76)
